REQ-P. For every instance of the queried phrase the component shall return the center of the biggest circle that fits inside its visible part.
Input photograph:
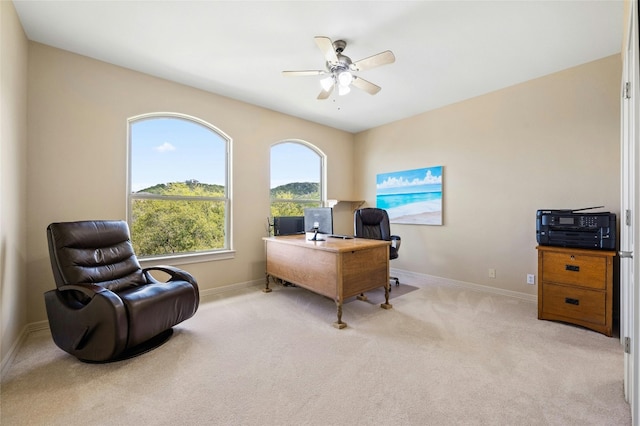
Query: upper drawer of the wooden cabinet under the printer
(578, 269)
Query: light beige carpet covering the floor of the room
(442, 356)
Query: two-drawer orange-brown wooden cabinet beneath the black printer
(576, 286)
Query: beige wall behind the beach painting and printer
(552, 142)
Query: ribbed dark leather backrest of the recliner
(96, 252)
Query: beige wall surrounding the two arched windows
(78, 109)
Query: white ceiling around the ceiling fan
(446, 51)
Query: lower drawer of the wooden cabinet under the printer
(575, 303)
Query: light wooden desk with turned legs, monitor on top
(335, 268)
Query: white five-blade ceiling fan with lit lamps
(340, 68)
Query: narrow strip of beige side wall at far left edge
(13, 176)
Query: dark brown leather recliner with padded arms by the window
(106, 307)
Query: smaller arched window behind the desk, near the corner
(297, 178)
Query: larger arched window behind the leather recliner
(178, 181)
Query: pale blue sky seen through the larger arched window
(166, 150)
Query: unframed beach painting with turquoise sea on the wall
(411, 196)
